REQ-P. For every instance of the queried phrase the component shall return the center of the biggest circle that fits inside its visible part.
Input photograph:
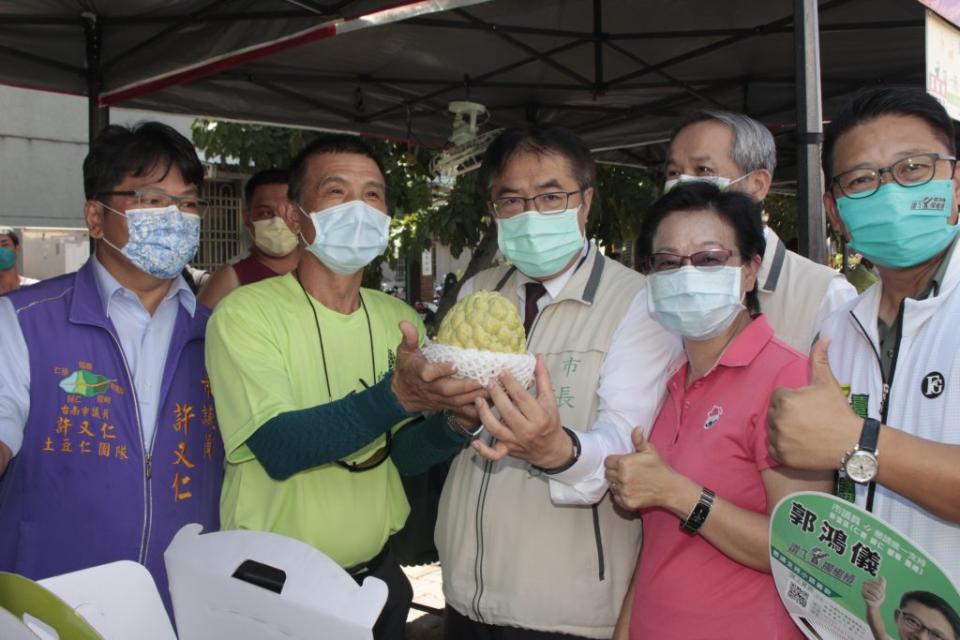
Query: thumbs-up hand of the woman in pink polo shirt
(642, 479)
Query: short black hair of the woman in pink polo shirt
(738, 210)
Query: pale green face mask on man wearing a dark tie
(540, 244)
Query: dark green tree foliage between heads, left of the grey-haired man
(460, 220)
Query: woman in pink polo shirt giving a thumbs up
(704, 483)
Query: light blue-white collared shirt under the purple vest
(144, 340)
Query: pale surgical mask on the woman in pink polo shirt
(695, 303)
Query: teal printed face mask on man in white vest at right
(900, 226)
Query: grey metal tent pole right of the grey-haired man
(806, 38)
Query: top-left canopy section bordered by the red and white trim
(112, 50)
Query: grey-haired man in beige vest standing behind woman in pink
(737, 152)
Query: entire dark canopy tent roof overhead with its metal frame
(618, 72)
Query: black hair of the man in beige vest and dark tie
(539, 140)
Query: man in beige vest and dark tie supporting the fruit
(530, 543)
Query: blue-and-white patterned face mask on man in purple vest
(160, 241)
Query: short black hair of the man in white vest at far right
(869, 104)
